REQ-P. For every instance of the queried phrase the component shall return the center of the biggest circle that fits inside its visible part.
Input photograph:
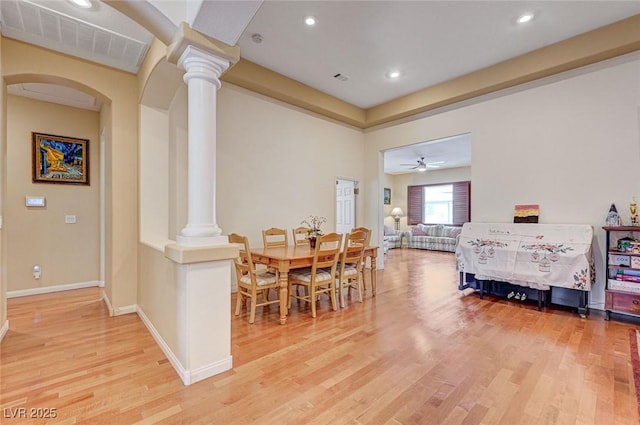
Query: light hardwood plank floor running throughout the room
(417, 353)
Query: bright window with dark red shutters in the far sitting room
(447, 203)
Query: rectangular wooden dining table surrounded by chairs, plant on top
(291, 257)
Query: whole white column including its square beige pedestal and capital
(201, 253)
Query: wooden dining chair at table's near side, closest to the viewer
(320, 277)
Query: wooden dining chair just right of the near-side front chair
(349, 269)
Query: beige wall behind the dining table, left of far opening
(278, 165)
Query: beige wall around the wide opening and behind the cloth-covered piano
(570, 144)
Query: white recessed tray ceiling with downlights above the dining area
(427, 41)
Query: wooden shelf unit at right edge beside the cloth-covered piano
(618, 300)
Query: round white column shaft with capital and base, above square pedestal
(202, 78)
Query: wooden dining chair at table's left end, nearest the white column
(253, 285)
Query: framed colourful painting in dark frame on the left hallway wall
(58, 159)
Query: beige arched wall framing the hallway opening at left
(24, 63)
